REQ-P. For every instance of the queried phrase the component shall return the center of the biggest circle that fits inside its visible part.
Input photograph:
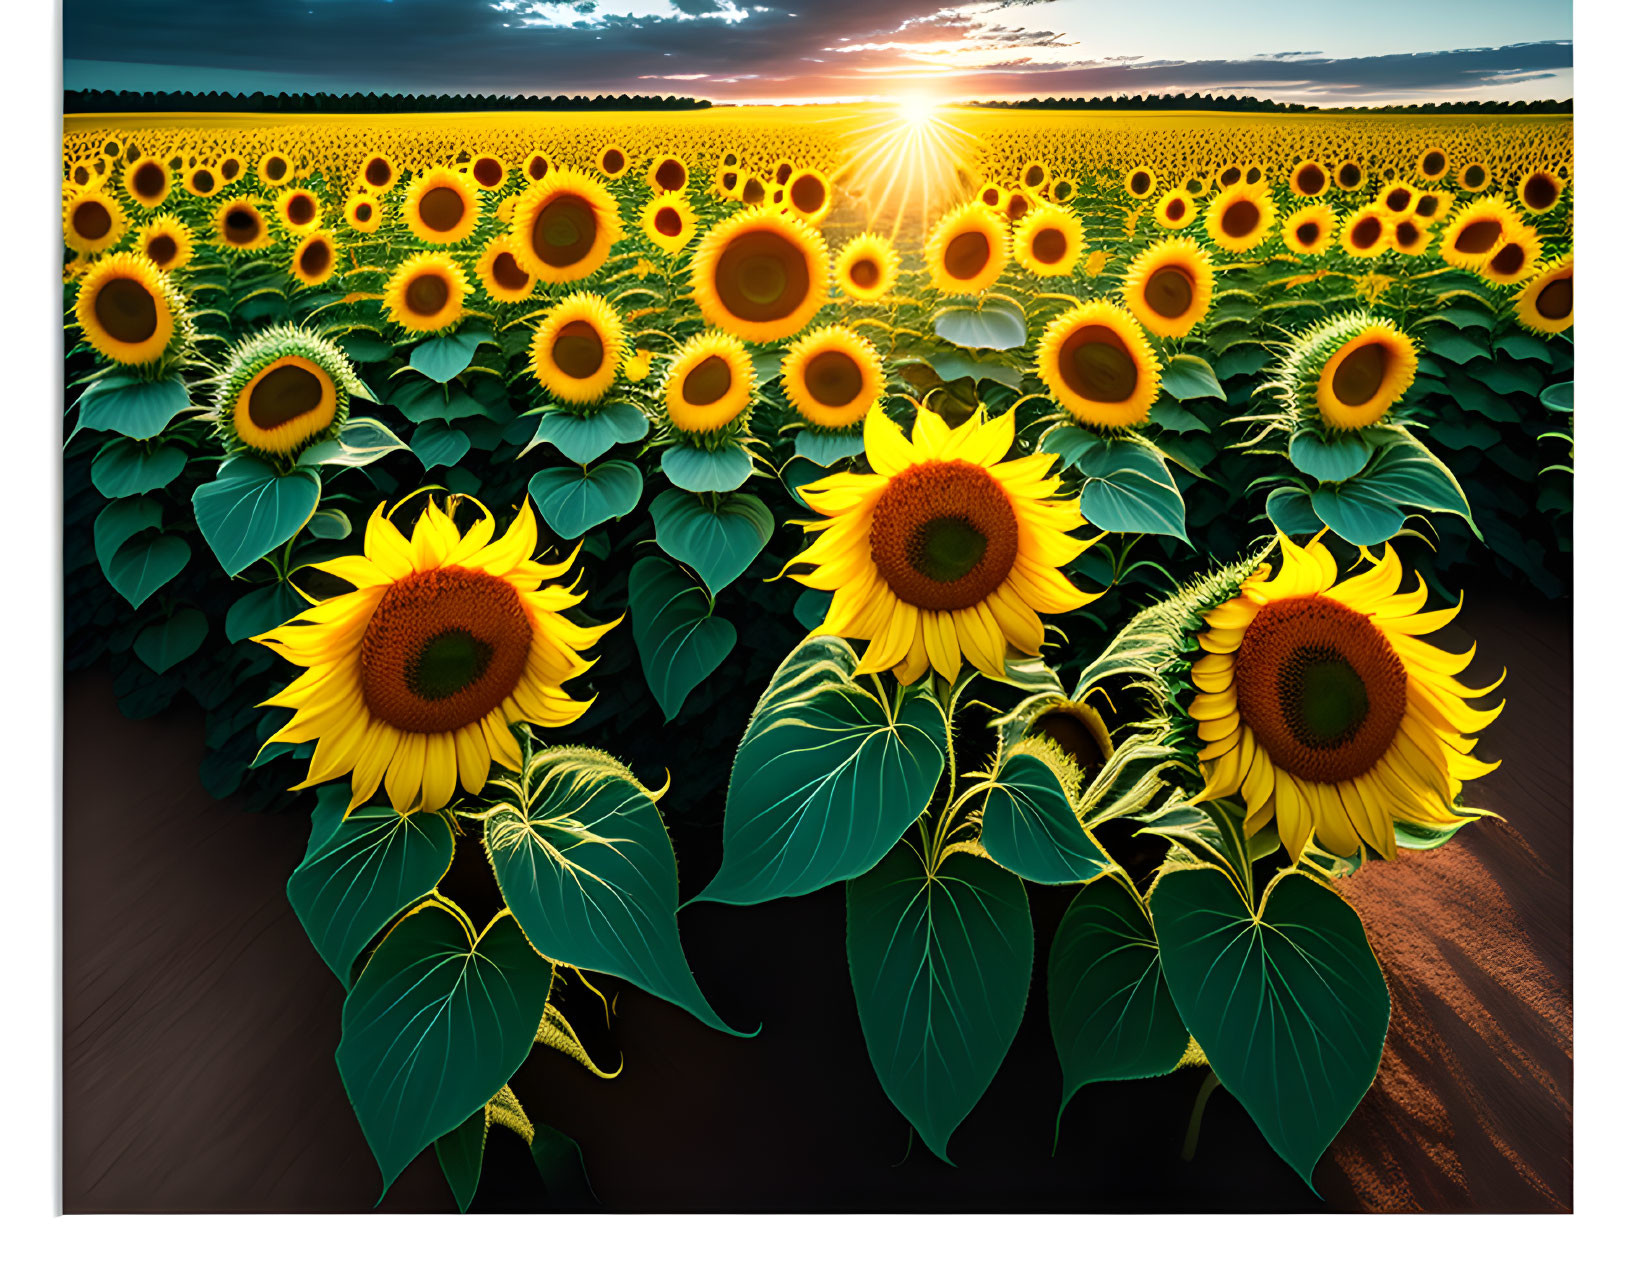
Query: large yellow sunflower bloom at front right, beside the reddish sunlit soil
(1322, 705)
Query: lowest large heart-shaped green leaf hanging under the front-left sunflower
(436, 1026)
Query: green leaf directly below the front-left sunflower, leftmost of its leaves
(365, 874)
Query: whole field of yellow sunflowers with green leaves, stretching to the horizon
(934, 503)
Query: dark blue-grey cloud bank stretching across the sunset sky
(771, 48)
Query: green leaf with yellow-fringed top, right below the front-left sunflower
(586, 866)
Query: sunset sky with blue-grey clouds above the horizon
(830, 50)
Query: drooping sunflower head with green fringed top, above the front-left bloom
(282, 390)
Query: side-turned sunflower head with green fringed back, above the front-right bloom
(1345, 374)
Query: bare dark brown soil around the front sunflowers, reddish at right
(200, 1026)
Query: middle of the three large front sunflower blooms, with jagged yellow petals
(943, 552)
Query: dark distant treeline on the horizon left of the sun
(101, 102)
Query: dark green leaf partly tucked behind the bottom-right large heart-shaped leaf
(1111, 1013)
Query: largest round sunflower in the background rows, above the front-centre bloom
(761, 275)
